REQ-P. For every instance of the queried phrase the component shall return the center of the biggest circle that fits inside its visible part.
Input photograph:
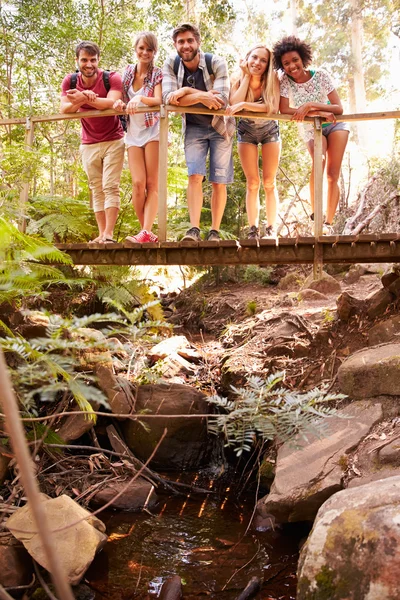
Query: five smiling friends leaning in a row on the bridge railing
(268, 81)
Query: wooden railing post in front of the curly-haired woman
(318, 217)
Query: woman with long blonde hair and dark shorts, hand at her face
(256, 88)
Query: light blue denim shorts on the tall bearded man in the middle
(198, 141)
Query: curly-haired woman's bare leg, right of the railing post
(337, 141)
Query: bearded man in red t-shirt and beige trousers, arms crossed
(102, 148)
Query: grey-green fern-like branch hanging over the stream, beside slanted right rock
(264, 410)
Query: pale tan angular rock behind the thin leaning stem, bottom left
(75, 546)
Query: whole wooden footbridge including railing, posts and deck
(315, 250)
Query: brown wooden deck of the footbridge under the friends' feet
(369, 248)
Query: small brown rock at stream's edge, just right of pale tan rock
(139, 494)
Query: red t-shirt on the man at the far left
(97, 129)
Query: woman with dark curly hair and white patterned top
(308, 92)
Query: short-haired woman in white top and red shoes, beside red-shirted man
(141, 85)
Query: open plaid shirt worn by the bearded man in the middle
(220, 81)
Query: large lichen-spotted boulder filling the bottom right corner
(353, 551)
